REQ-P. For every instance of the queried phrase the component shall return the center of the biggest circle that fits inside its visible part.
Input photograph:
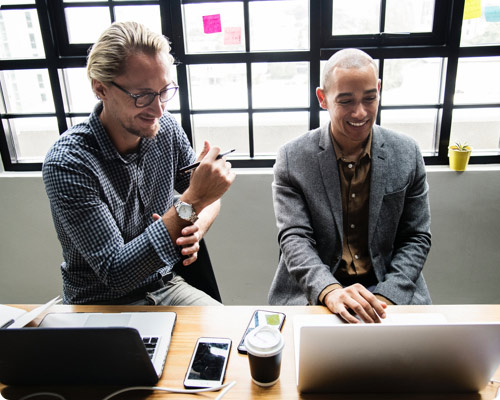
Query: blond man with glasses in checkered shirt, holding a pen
(111, 181)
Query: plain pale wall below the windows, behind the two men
(463, 266)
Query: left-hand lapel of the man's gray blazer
(329, 171)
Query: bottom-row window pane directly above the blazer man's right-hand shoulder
(418, 124)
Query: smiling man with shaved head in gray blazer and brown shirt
(351, 204)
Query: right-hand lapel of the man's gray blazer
(379, 170)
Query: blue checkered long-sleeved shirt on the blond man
(102, 204)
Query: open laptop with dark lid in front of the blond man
(88, 348)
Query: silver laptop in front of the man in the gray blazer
(406, 353)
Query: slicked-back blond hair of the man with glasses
(108, 56)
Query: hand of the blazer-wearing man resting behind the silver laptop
(358, 299)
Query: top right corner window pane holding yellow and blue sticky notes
(482, 29)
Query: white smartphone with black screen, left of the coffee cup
(207, 367)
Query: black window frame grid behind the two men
(443, 42)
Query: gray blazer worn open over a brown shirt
(308, 208)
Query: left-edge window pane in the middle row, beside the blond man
(27, 91)
